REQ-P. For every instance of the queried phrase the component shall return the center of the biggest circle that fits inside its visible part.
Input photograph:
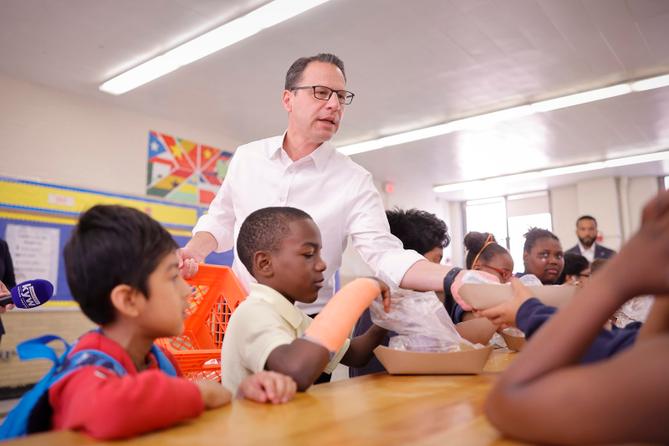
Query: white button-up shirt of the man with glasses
(338, 194)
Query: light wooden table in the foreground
(371, 410)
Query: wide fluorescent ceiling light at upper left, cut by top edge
(225, 35)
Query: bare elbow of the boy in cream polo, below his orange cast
(302, 360)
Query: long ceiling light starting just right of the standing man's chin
(486, 119)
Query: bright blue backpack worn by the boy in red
(33, 413)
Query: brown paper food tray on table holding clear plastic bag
(398, 362)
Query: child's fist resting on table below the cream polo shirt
(264, 387)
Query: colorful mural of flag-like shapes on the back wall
(183, 170)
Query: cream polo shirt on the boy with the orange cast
(264, 321)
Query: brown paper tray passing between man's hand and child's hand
(486, 295)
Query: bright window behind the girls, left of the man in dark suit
(509, 218)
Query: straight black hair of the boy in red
(110, 246)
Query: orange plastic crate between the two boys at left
(216, 294)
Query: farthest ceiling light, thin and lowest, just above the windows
(553, 172)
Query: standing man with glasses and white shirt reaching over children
(302, 169)
